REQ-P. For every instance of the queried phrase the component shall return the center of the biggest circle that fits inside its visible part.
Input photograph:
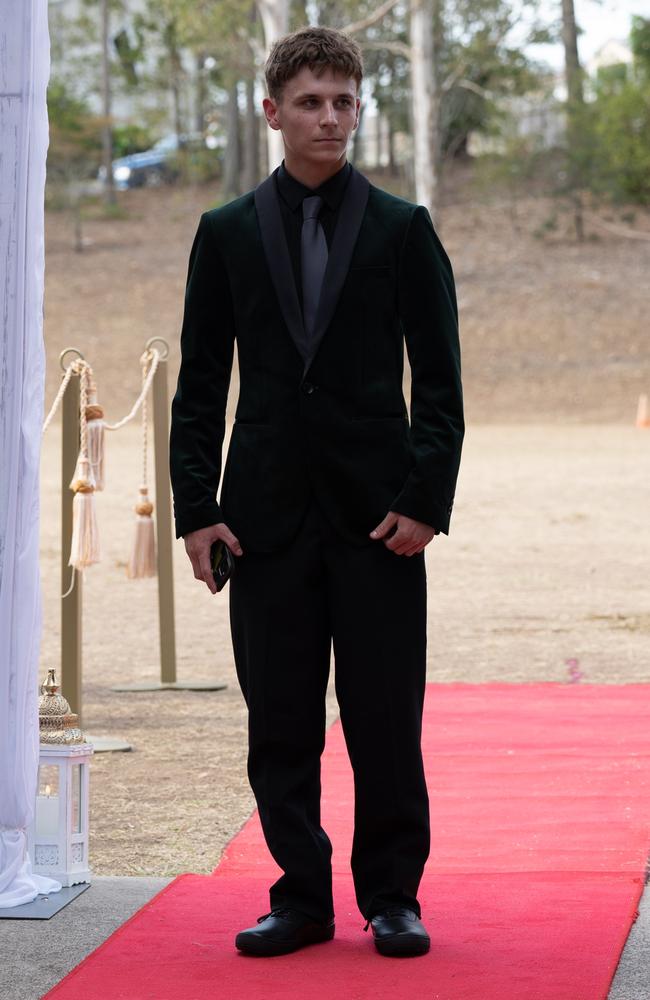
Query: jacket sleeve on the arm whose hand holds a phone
(198, 409)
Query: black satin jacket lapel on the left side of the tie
(279, 262)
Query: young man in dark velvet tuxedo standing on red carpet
(329, 495)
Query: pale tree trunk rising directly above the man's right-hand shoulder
(424, 105)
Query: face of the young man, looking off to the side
(316, 115)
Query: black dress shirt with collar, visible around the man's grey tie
(292, 193)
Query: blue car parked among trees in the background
(157, 165)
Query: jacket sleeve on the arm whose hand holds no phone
(429, 316)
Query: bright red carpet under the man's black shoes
(540, 809)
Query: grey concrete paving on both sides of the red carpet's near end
(37, 954)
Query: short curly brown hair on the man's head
(315, 47)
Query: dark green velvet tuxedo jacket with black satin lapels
(329, 416)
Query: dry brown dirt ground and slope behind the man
(544, 575)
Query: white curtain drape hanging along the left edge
(24, 136)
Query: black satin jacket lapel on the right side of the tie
(351, 214)
